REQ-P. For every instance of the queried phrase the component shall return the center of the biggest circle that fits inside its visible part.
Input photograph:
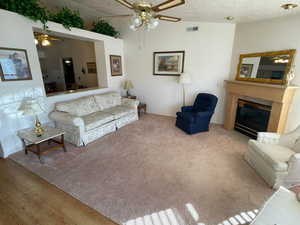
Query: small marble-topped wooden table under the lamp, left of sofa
(32, 143)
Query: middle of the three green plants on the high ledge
(67, 18)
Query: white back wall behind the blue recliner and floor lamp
(207, 59)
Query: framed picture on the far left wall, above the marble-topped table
(14, 65)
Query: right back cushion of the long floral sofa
(108, 100)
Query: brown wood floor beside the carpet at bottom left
(26, 199)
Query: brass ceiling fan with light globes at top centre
(147, 14)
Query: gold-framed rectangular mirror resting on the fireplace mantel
(266, 67)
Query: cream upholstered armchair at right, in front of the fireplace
(276, 157)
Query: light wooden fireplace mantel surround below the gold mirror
(281, 98)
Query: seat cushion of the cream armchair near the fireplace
(275, 155)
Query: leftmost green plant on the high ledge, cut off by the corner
(28, 8)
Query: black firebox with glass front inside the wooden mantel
(252, 117)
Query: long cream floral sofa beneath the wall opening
(88, 118)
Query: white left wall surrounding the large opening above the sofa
(17, 32)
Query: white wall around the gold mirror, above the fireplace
(271, 35)
